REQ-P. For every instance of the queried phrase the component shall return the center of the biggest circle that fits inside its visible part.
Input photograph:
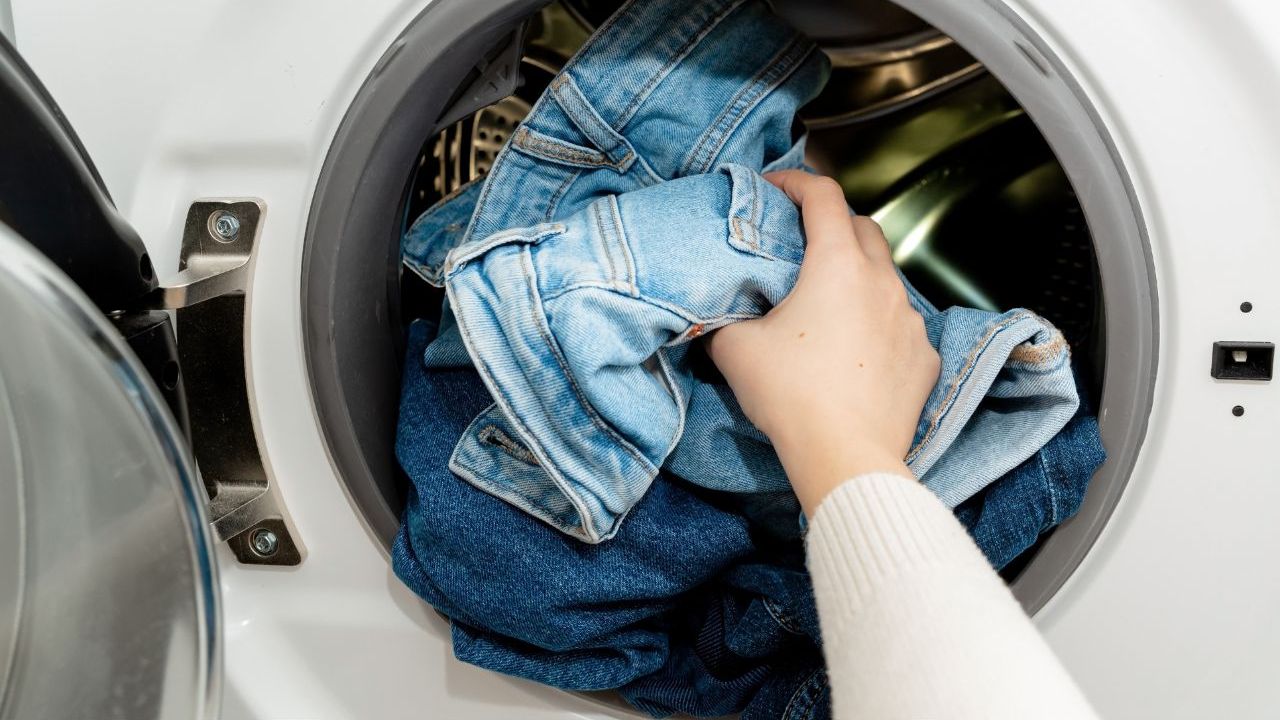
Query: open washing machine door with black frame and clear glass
(108, 585)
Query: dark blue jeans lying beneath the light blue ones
(700, 605)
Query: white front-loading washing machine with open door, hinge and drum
(253, 170)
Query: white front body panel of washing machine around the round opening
(1172, 613)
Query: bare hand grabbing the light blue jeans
(838, 375)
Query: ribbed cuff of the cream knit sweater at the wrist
(883, 525)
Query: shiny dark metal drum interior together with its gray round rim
(1002, 211)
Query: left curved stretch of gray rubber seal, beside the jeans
(351, 254)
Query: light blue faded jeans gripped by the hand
(627, 217)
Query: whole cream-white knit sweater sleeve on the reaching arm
(915, 621)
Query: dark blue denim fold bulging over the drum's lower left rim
(524, 599)
